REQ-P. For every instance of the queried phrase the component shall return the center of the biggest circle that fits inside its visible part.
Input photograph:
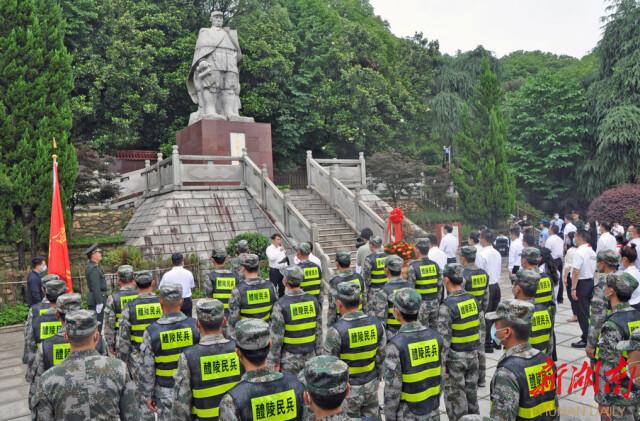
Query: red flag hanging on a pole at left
(58, 251)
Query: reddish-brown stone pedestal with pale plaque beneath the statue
(228, 138)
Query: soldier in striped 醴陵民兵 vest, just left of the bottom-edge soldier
(206, 370)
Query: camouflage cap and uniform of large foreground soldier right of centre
(407, 301)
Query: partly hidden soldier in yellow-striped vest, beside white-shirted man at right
(476, 283)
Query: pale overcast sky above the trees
(571, 27)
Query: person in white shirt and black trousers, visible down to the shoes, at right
(583, 269)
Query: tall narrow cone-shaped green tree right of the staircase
(482, 177)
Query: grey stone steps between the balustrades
(334, 233)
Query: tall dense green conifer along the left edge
(35, 85)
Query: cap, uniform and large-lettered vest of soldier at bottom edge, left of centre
(253, 334)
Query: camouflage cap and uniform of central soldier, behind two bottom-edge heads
(278, 355)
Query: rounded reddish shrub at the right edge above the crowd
(619, 204)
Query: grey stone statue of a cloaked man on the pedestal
(213, 81)
